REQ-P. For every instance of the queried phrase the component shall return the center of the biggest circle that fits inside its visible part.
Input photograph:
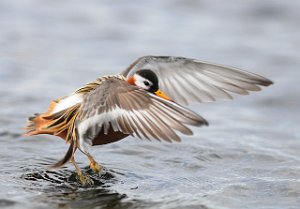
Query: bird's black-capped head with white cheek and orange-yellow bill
(147, 80)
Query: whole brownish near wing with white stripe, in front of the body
(117, 105)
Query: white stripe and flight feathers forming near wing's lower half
(155, 122)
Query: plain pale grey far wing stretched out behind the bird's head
(189, 81)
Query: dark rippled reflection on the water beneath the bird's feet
(63, 189)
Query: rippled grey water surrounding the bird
(249, 156)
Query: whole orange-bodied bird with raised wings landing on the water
(147, 100)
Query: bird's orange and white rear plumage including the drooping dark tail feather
(60, 121)
